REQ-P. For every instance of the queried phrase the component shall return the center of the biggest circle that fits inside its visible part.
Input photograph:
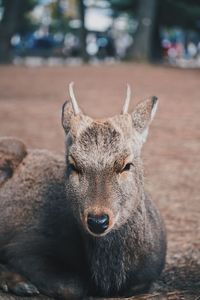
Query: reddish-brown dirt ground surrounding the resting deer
(30, 105)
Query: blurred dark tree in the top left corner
(14, 20)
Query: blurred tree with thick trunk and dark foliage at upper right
(154, 14)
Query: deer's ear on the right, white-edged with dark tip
(143, 115)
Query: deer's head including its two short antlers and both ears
(104, 178)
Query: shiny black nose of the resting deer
(98, 223)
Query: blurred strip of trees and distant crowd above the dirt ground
(73, 31)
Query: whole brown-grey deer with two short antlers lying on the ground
(83, 224)
